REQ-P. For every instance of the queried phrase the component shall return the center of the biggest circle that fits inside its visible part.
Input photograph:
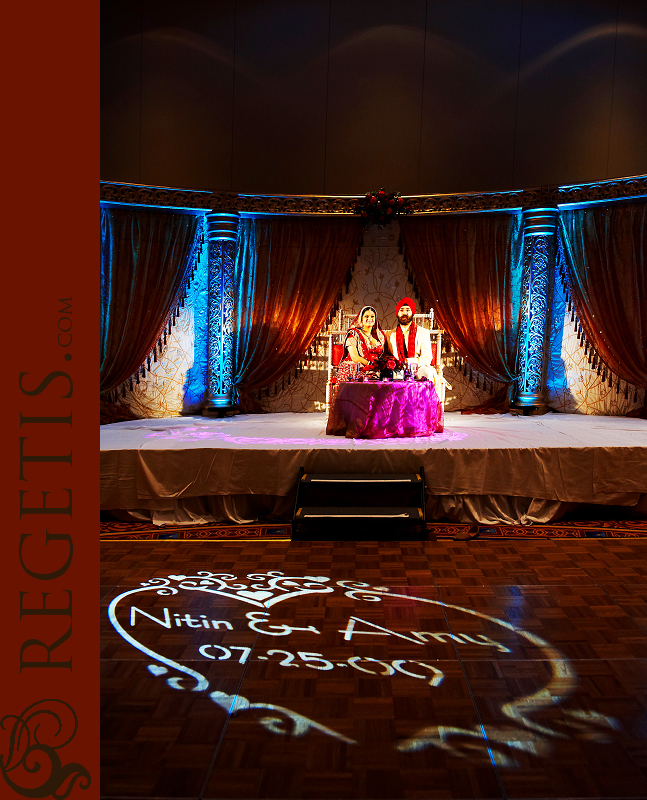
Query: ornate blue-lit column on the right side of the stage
(536, 287)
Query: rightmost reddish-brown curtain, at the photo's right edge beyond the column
(605, 253)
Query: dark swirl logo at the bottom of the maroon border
(34, 737)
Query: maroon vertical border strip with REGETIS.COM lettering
(50, 254)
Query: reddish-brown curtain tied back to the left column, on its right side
(288, 275)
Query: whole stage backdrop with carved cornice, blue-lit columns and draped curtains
(210, 299)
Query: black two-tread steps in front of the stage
(351, 506)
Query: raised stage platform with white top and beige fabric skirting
(486, 469)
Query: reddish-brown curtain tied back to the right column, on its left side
(469, 266)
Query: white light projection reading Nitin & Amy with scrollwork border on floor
(356, 630)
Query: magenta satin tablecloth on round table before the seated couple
(383, 410)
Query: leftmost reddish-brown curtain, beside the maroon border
(145, 258)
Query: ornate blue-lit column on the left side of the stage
(222, 232)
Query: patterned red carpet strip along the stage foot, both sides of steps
(113, 530)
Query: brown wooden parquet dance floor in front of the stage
(277, 669)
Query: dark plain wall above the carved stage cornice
(342, 96)
